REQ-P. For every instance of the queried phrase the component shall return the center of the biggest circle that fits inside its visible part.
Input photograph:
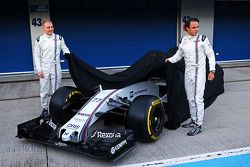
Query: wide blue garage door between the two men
(115, 32)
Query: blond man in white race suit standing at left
(47, 61)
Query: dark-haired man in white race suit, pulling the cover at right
(194, 48)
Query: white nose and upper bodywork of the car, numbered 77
(76, 129)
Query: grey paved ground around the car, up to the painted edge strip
(226, 126)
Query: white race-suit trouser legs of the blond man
(53, 77)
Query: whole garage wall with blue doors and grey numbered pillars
(118, 33)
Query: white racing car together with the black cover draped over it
(136, 99)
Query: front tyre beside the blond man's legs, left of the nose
(64, 103)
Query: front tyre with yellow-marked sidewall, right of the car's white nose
(146, 117)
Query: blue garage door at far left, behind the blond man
(15, 45)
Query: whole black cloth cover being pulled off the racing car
(152, 64)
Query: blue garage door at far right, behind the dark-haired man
(231, 30)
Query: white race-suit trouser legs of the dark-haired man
(195, 86)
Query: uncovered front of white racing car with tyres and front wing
(138, 105)
